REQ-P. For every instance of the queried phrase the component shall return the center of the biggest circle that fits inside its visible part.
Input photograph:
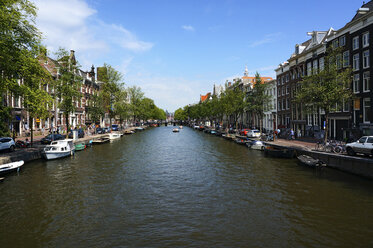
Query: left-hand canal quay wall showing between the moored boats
(35, 153)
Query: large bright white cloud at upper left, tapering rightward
(73, 24)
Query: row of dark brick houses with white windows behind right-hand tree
(350, 118)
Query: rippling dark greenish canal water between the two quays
(189, 189)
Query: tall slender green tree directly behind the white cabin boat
(68, 84)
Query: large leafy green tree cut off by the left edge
(19, 46)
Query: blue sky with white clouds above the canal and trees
(176, 50)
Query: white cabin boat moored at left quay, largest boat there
(59, 149)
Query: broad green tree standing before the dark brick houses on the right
(326, 88)
